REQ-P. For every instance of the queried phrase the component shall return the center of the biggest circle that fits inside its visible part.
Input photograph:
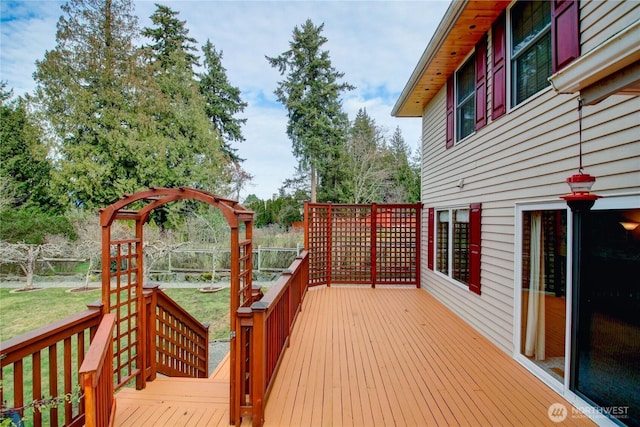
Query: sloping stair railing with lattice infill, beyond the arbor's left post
(177, 343)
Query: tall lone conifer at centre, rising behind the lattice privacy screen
(317, 126)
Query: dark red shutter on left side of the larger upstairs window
(499, 69)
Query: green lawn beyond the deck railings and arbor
(24, 311)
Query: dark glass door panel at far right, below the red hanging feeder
(607, 353)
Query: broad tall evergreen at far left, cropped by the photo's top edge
(88, 95)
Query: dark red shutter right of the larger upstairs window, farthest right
(565, 35)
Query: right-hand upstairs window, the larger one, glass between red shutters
(530, 48)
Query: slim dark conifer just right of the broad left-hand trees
(222, 100)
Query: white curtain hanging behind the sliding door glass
(534, 339)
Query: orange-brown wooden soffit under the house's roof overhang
(462, 26)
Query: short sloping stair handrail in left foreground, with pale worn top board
(96, 374)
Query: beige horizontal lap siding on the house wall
(522, 156)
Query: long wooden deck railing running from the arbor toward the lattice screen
(263, 334)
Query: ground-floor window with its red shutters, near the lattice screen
(454, 237)
